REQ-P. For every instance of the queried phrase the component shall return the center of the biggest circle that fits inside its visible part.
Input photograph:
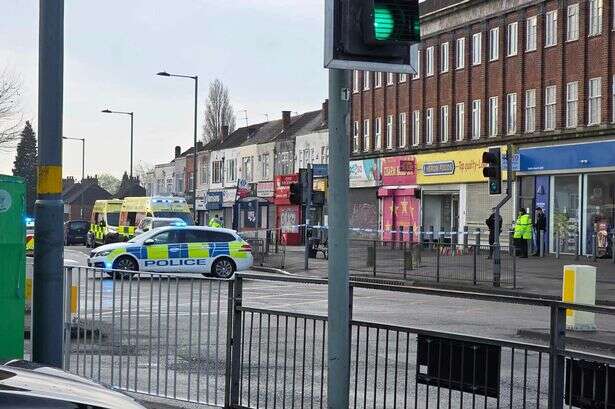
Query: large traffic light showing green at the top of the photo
(374, 35)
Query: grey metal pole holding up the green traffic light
(338, 380)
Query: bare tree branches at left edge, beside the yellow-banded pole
(10, 119)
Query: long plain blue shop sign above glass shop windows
(568, 157)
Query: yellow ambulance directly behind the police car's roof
(135, 209)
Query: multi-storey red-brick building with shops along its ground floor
(538, 74)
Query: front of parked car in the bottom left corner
(25, 384)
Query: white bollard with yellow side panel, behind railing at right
(579, 287)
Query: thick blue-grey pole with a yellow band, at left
(48, 300)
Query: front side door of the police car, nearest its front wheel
(164, 252)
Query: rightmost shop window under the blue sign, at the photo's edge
(599, 212)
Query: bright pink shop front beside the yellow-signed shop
(399, 204)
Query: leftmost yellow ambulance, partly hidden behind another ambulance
(104, 222)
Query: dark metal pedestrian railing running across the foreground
(211, 341)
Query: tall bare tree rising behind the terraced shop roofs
(218, 112)
